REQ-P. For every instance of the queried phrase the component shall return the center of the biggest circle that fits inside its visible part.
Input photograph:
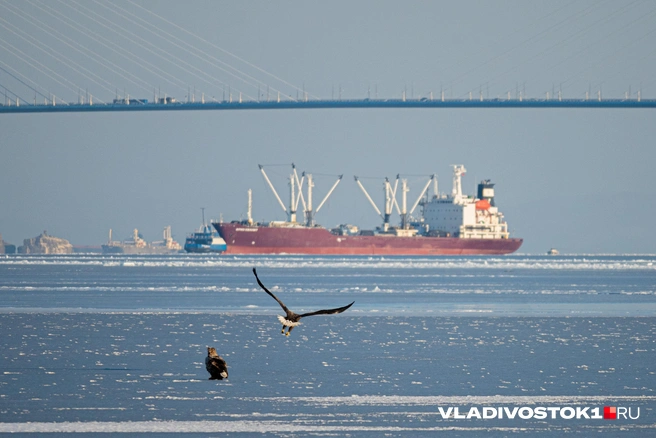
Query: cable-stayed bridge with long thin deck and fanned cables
(69, 47)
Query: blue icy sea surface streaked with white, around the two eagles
(93, 344)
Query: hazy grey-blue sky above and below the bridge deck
(579, 180)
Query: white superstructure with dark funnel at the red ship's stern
(467, 217)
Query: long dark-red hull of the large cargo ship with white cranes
(243, 239)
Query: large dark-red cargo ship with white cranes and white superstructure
(450, 225)
